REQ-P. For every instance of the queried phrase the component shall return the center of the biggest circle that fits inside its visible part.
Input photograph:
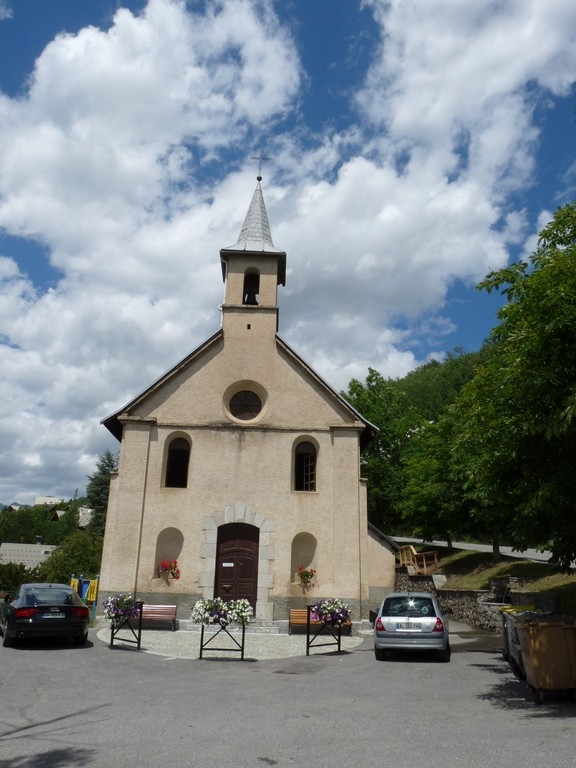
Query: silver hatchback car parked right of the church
(411, 621)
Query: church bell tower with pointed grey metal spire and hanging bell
(252, 270)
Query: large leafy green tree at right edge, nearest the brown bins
(517, 444)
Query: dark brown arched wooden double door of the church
(237, 562)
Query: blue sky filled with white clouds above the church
(413, 148)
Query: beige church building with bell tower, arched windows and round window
(242, 464)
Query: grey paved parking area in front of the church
(94, 706)
